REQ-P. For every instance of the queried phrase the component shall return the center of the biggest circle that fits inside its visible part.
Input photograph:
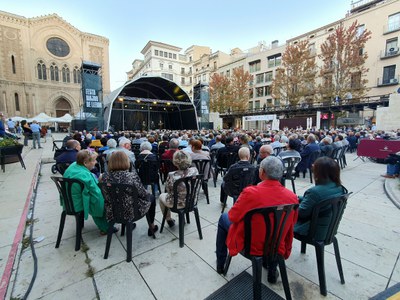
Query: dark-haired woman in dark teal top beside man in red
(327, 184)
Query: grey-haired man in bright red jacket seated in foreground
(269, 192)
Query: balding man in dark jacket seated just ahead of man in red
(231, 184)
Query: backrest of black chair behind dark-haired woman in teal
(331, 209)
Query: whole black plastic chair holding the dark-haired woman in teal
(333, 207)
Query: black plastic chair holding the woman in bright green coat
(64, 186)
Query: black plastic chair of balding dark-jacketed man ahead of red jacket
(242, 177)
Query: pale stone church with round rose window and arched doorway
(40, 64)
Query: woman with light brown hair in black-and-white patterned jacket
(118, 172)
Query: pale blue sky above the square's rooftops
(220, 24)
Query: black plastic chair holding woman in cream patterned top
(192, 185)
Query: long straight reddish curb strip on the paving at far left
(5, 279)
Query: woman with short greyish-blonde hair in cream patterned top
(182, 161)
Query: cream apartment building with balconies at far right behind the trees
(382, 18)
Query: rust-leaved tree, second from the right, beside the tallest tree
(295, 80)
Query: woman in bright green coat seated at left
(90, 200)
